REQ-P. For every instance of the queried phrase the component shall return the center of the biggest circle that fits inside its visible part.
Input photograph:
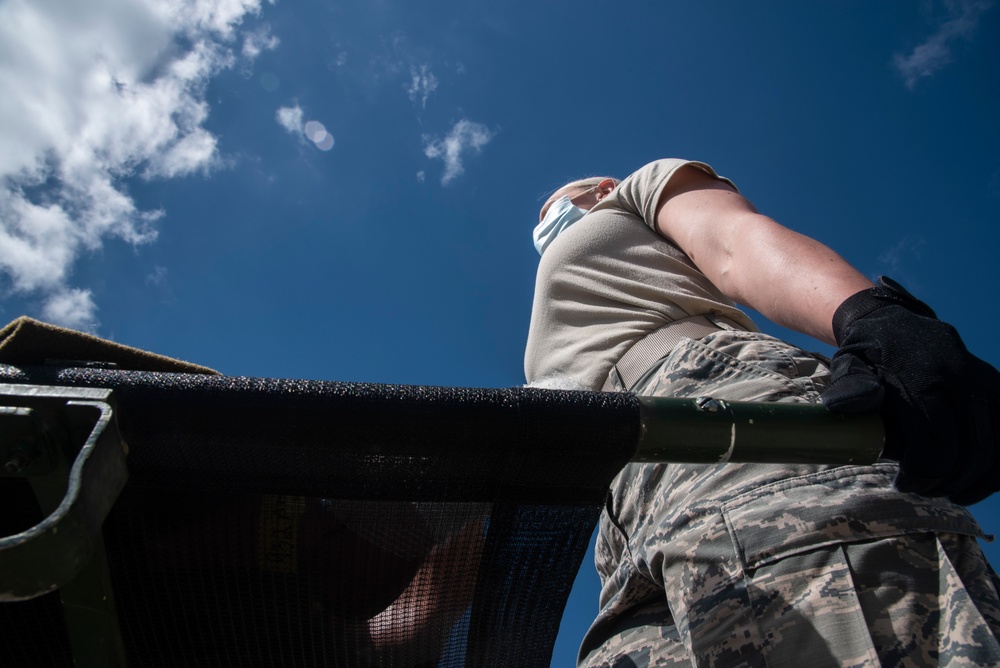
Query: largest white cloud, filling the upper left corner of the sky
(94, 93)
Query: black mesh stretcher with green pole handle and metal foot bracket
(155, 518)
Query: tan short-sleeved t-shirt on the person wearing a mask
(610, 279)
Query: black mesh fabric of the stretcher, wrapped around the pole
(292, 523)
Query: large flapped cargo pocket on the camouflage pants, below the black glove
(841, 570)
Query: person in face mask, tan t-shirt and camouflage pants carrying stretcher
(759, 564)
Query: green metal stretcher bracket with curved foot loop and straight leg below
(65, 441)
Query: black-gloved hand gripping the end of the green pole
(940, 404)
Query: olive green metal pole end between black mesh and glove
(711, 431)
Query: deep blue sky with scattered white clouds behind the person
(346, 191)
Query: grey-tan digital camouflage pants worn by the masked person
(781, 565)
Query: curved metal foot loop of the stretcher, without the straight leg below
(76, 485)
